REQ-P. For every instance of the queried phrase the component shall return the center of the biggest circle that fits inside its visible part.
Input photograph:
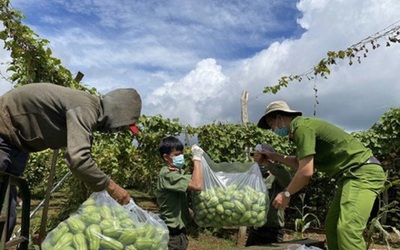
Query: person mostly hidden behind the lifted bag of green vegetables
(277, 178)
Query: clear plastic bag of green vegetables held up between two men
(234, 194)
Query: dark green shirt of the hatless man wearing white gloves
(172, 197)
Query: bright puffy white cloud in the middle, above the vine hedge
(193, 97)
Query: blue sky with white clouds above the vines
(193, 59)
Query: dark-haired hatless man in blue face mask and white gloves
(172, 187)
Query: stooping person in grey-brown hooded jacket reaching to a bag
(40, 116)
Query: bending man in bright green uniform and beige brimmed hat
(329, 149)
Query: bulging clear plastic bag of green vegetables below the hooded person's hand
(102, 223)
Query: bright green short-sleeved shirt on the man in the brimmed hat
(333, 149)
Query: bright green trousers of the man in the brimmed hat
(351, 207)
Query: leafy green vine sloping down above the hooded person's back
(31, 60)
